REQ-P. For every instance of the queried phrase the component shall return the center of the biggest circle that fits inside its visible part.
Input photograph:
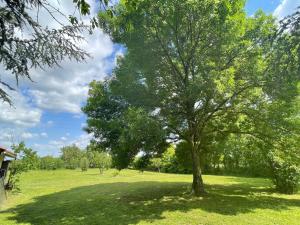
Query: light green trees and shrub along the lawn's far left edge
(72, 157)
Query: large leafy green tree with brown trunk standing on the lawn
(201, 68)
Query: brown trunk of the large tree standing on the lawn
(198, 186)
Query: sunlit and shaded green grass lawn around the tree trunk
(75, 197)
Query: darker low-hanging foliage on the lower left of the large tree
(121, 130)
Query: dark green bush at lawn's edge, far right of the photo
(286, 176)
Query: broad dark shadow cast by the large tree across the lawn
(129, 203)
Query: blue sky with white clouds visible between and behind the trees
(47, 113)
